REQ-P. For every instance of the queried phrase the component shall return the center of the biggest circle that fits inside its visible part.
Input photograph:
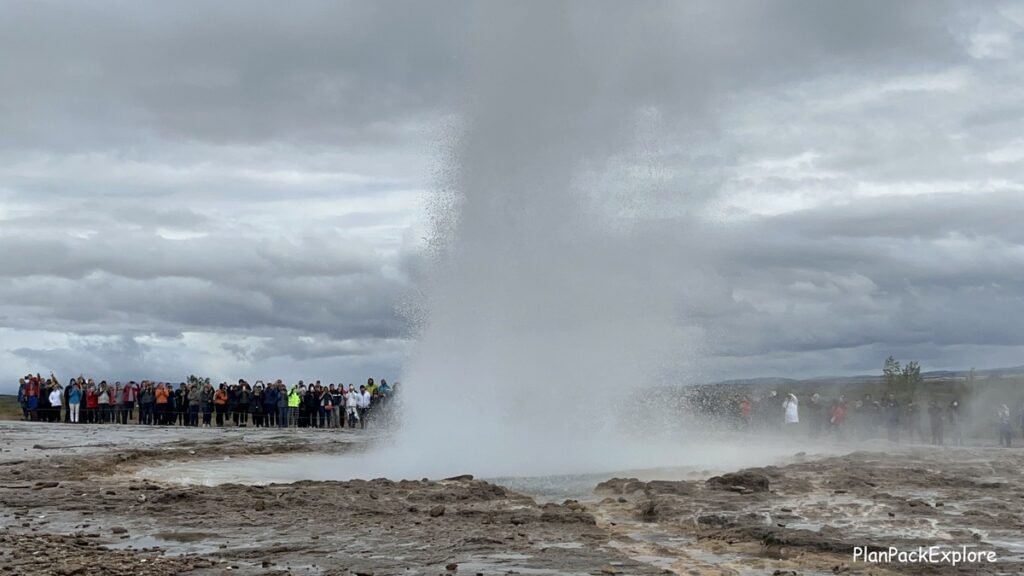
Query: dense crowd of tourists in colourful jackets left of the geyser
(198, 403)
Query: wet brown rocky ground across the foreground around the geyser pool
(71, 503)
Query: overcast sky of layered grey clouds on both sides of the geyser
(245, 189)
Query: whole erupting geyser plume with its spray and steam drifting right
(567, 252)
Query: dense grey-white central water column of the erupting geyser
(541, 323)
